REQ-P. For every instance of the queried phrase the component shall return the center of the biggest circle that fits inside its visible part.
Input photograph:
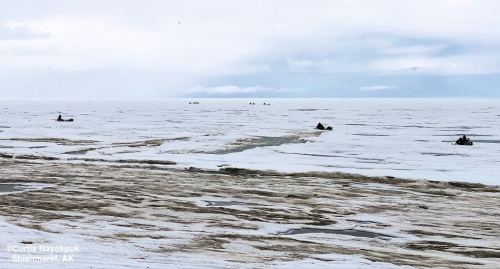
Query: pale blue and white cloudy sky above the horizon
(270, 48)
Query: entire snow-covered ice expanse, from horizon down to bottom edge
(154, 184)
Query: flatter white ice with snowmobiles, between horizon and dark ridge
(410, 138)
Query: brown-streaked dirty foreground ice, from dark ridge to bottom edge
(128, 216)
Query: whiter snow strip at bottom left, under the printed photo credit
(89, 252)
